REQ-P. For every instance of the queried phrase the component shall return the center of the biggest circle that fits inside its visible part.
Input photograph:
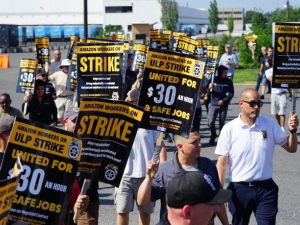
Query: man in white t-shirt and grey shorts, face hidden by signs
(135, 171)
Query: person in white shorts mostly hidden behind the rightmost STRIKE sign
(278, 99)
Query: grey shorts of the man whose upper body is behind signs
(126, 195)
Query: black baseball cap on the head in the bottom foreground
(192, 188)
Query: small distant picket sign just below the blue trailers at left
(42, 50)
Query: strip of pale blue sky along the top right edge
(264, 5)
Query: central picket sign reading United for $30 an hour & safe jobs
(170, 91)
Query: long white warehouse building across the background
(100, 12)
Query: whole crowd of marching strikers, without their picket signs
(189, 186)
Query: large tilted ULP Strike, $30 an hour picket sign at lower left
(50, 159)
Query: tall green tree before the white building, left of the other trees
(169, 14)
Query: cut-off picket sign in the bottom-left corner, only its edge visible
(8, 188)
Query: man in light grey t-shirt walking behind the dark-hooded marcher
(229, 60)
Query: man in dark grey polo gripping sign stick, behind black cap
(187, 158)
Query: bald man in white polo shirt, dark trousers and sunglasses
(246, 145)
